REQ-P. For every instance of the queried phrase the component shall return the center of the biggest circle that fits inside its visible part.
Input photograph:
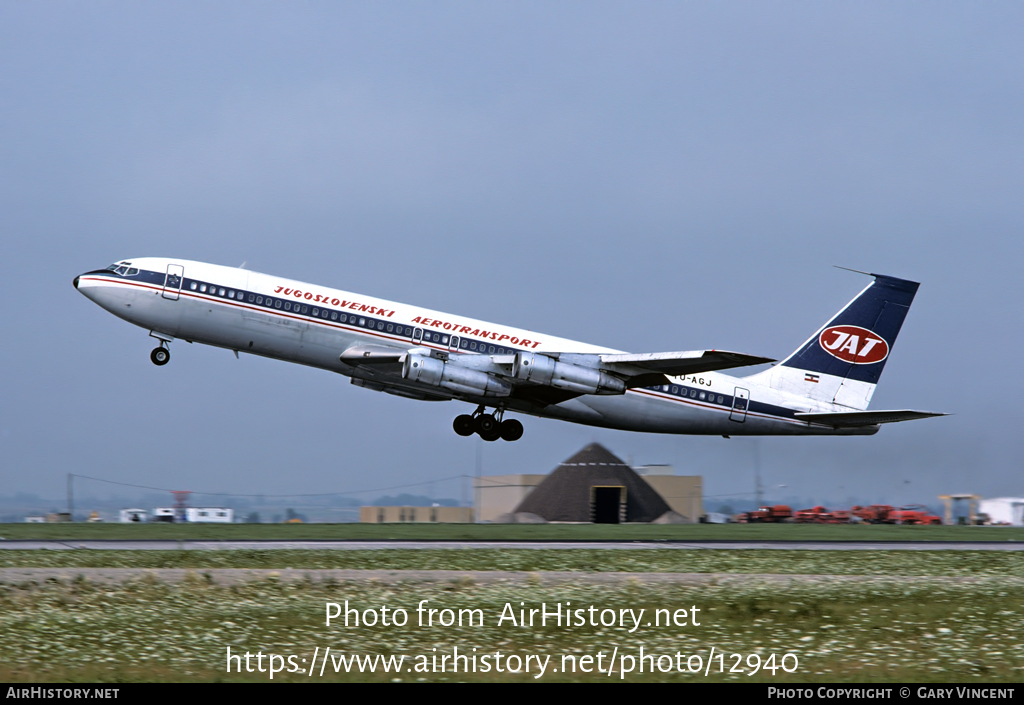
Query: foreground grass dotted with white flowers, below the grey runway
(913, 616)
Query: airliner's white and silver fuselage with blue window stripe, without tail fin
(273, 317)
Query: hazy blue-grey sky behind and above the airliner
(649, 177)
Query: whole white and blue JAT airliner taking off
(823, 389)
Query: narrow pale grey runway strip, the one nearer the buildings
(509, 546)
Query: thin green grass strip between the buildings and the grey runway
(499, 532)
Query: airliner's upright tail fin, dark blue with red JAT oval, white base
(843, 361)
